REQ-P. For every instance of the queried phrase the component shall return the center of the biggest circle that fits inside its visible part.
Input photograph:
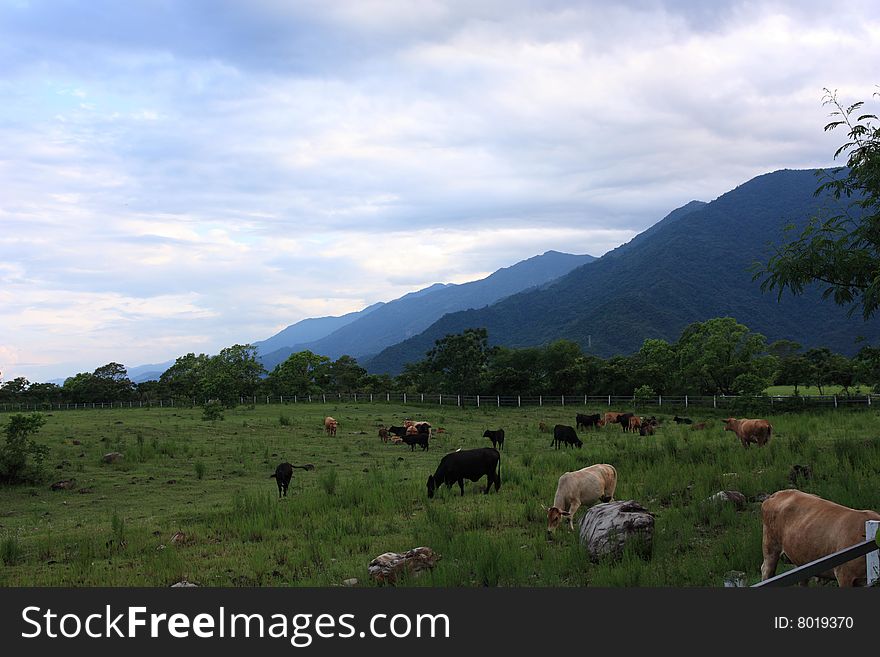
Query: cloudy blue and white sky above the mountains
(182, 176)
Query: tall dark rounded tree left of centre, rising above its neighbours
(462, 360)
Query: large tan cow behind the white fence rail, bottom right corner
(806, 527)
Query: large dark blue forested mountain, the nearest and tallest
(691, 266)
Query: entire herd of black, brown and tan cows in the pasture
(799, 525)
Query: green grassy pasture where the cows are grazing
(210, 481)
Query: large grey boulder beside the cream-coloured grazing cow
(607, 528)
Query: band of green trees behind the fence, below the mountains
(718, 356)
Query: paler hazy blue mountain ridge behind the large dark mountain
(411, 314)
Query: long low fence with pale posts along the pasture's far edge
(780, 403)
